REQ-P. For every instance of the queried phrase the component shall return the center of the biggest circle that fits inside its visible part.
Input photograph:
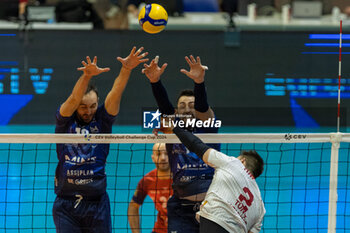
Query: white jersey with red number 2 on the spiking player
(233, 200)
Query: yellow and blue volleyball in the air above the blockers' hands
(153, 18)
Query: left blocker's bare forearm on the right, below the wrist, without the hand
(112, 102)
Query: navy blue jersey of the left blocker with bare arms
(81, 167)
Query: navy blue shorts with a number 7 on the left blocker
(89, 215)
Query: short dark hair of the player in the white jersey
(254, 162)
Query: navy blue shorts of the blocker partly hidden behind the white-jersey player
(182, 215)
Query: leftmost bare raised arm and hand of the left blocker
(89, 69)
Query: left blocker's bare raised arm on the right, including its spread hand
(112, 102)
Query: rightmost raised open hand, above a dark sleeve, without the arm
(197, 70)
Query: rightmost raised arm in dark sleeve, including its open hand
(197, 73)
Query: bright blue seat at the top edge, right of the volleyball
(201, 5)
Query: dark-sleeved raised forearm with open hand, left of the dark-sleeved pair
(153, 73)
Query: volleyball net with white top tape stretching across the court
(305, 184)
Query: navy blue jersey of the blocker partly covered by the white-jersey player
(190, 174)
